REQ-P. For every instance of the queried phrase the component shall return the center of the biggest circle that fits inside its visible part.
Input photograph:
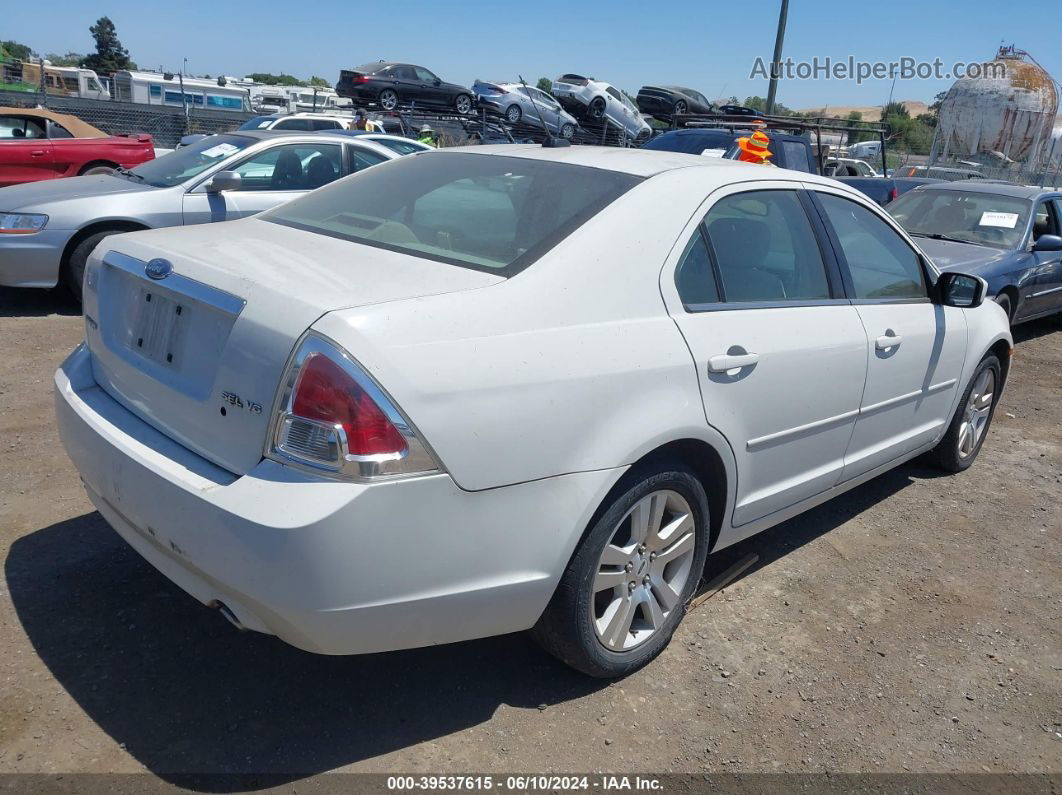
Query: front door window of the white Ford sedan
(881, 263)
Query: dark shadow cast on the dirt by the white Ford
(191, 698)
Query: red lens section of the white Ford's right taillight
(327, 393)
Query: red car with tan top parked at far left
(40, 145)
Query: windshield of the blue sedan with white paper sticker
(983, 219)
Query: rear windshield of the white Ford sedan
(486, 213)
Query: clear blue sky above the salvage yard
(709, 46)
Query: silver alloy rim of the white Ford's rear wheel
(643, 571)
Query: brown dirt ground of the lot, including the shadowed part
(914, 625)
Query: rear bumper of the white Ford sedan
(329, 567)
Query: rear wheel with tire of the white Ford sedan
(627, 587)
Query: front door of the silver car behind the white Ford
(270, 178)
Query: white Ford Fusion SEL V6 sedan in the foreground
(472, 392)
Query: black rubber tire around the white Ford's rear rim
(567, 629)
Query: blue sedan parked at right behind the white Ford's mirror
(1009, 235)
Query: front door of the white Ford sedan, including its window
(916, 349)
